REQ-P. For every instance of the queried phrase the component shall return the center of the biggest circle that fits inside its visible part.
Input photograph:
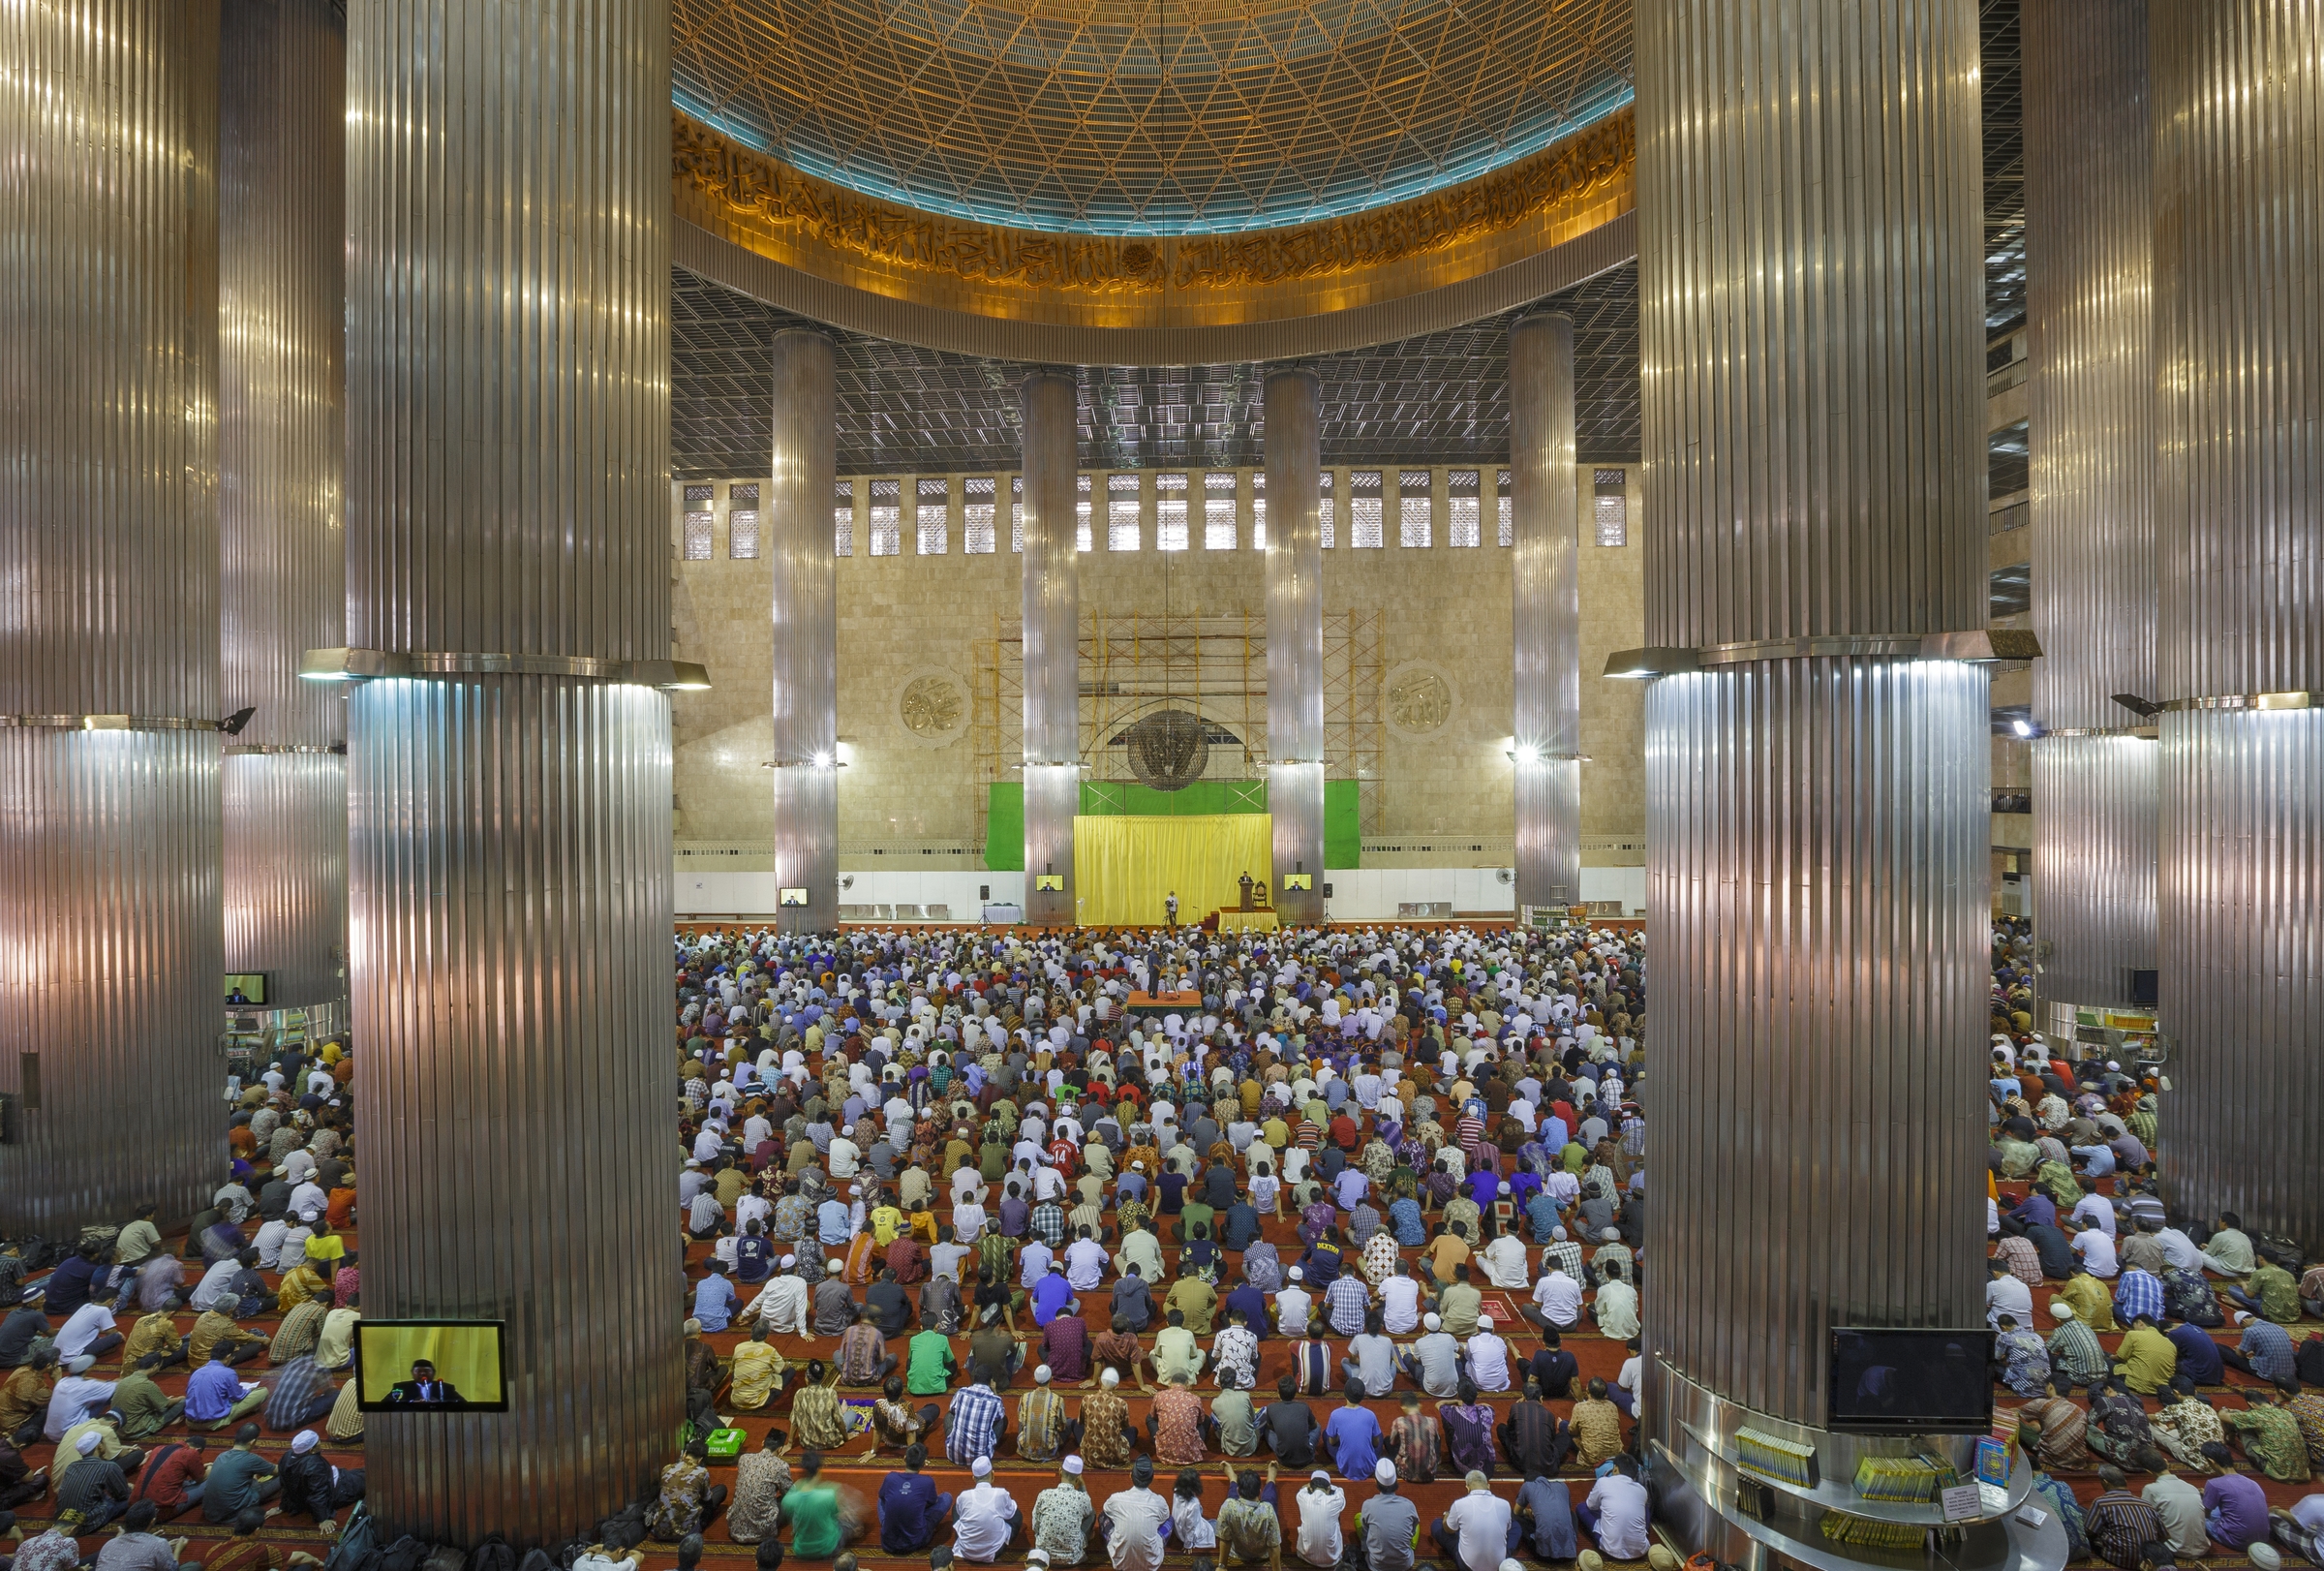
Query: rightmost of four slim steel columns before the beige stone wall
(1547, 612)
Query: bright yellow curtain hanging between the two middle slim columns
(1126, 863)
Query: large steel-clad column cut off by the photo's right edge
(2239, 529)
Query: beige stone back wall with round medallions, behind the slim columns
(919, 673)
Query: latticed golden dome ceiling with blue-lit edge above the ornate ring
(1147, 117)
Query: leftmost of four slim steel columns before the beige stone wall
(805, 631)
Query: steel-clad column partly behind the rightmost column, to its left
(2090, 315)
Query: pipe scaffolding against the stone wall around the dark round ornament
(1135, 663)
